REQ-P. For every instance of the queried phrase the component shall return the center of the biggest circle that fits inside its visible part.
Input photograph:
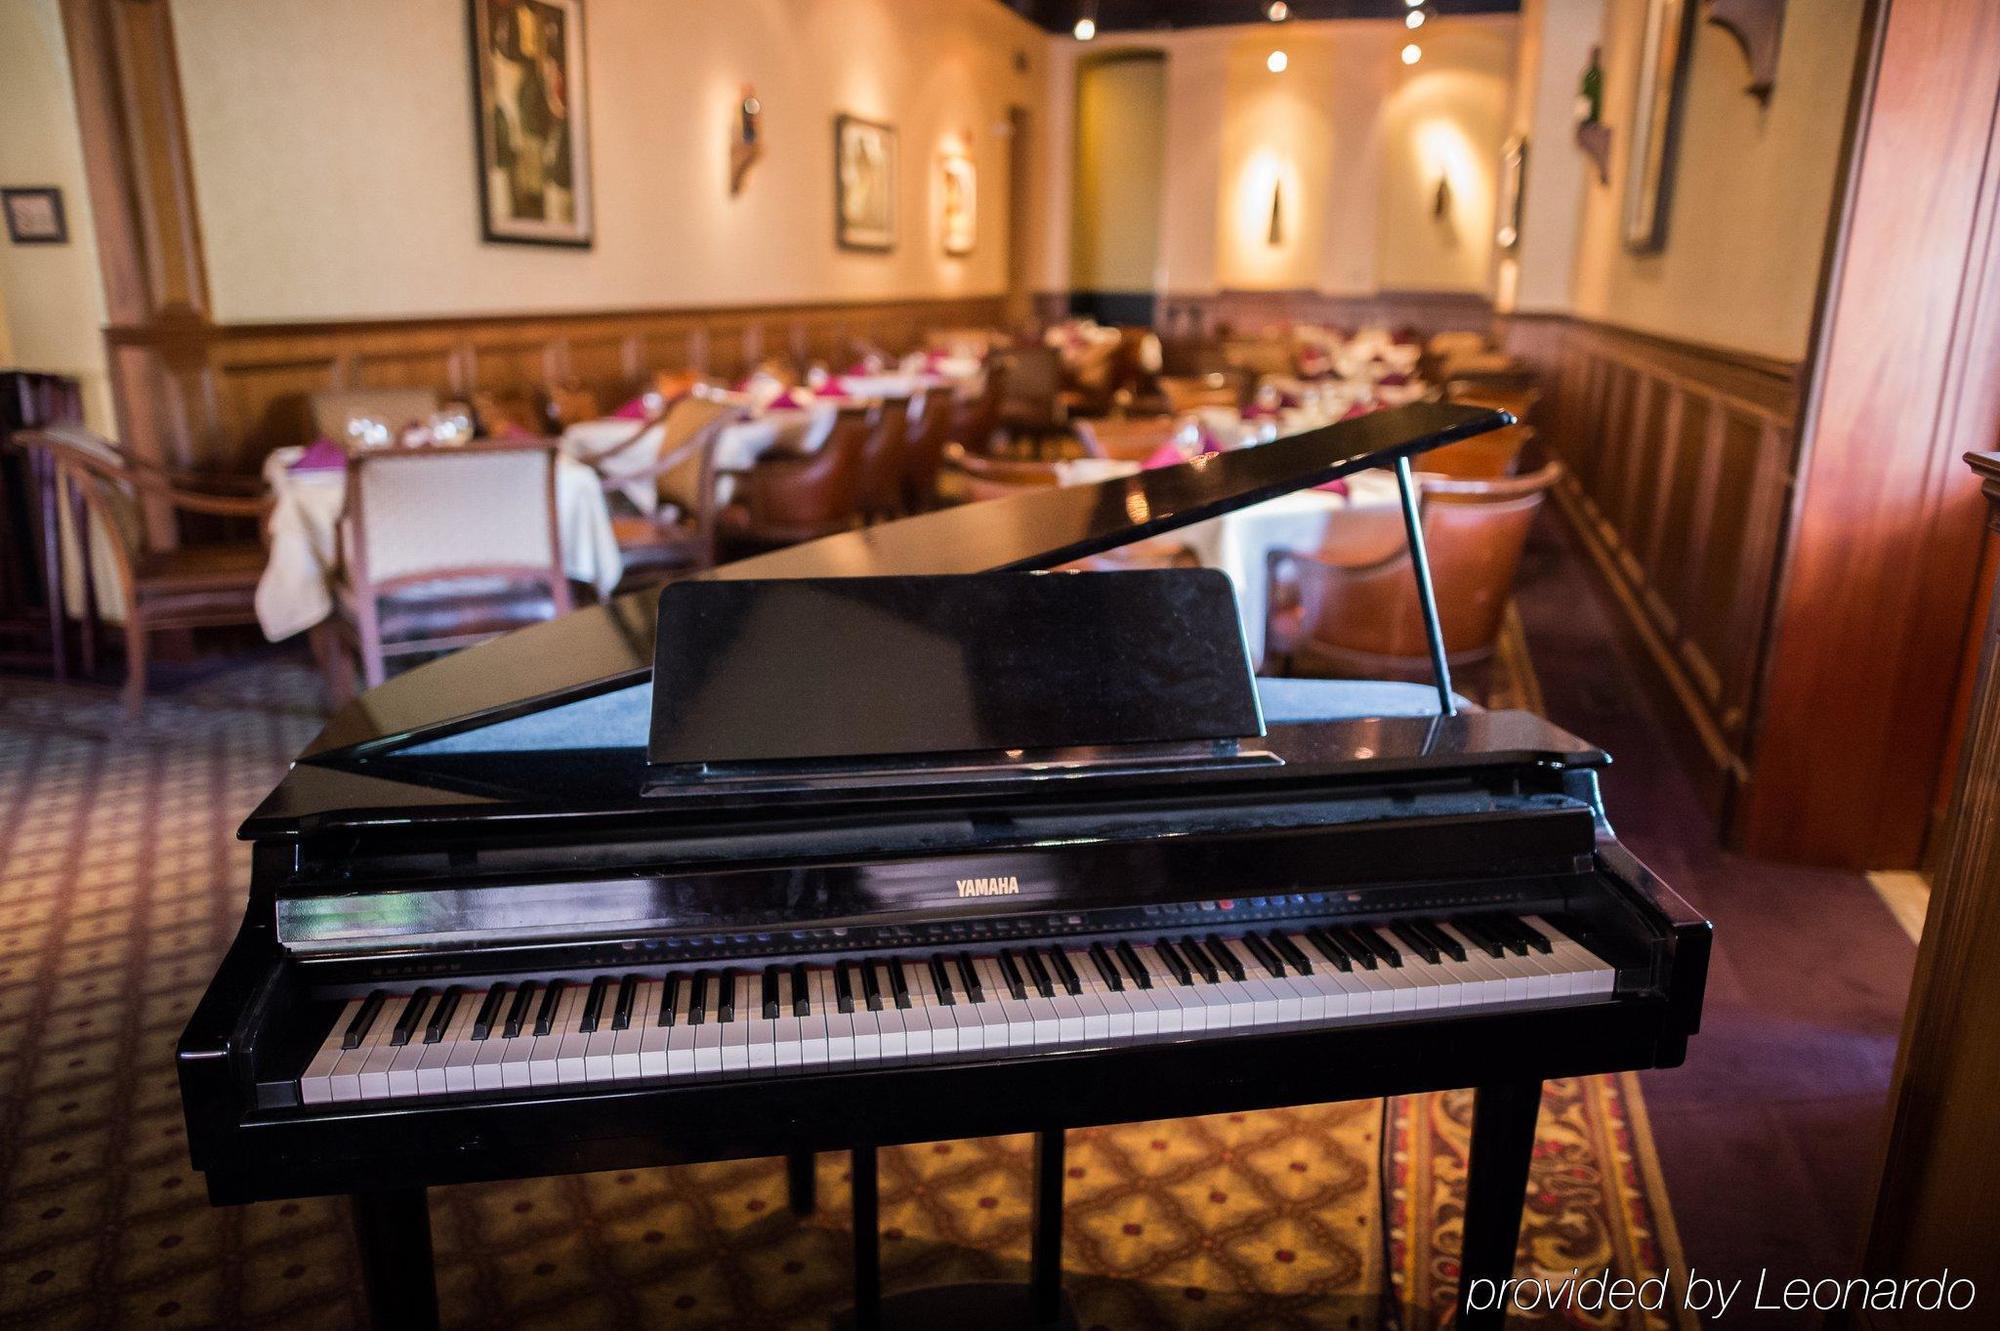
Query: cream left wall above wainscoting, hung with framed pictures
(335, 173)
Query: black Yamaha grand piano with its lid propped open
(891, 838)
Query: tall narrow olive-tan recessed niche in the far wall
(1121, 155)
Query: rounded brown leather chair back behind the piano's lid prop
(1367, 619)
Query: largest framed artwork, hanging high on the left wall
(531, 103)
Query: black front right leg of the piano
(1497, 1188)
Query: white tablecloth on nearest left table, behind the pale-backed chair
(297, 587)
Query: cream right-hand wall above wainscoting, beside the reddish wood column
(1753, 191)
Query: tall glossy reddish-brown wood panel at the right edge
(1885, 549)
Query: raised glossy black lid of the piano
(611, 647)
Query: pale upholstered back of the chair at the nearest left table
(465, 513)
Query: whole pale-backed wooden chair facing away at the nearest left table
(445, 549)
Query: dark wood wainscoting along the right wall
(1679, 469)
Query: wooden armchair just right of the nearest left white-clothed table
(679, 537)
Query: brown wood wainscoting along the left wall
(225, 395)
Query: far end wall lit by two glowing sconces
(1341, 127)
